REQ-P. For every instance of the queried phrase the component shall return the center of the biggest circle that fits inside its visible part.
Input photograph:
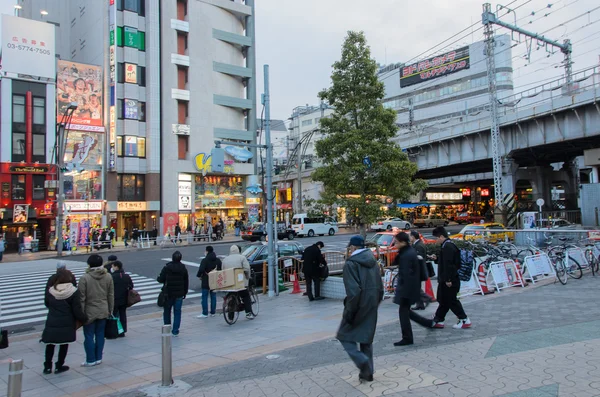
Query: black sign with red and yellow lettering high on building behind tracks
(437, 66)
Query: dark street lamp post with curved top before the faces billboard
(62, 130)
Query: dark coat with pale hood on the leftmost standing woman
(64, 308)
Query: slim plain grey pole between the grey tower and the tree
(269, 188)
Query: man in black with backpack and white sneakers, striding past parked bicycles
(448, 282)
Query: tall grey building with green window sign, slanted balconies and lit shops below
(178, 75)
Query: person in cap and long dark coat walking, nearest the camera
(364, 293)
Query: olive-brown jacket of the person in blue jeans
(97, 294)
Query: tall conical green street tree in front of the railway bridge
(361, 165)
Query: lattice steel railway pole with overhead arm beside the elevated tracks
(488, 18)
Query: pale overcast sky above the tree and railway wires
(300, 40)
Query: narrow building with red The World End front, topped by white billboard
(27, 131)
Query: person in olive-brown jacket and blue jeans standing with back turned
(97, 301)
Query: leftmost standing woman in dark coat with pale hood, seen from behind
(64, 309)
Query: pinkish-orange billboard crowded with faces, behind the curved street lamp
(80, 83)
